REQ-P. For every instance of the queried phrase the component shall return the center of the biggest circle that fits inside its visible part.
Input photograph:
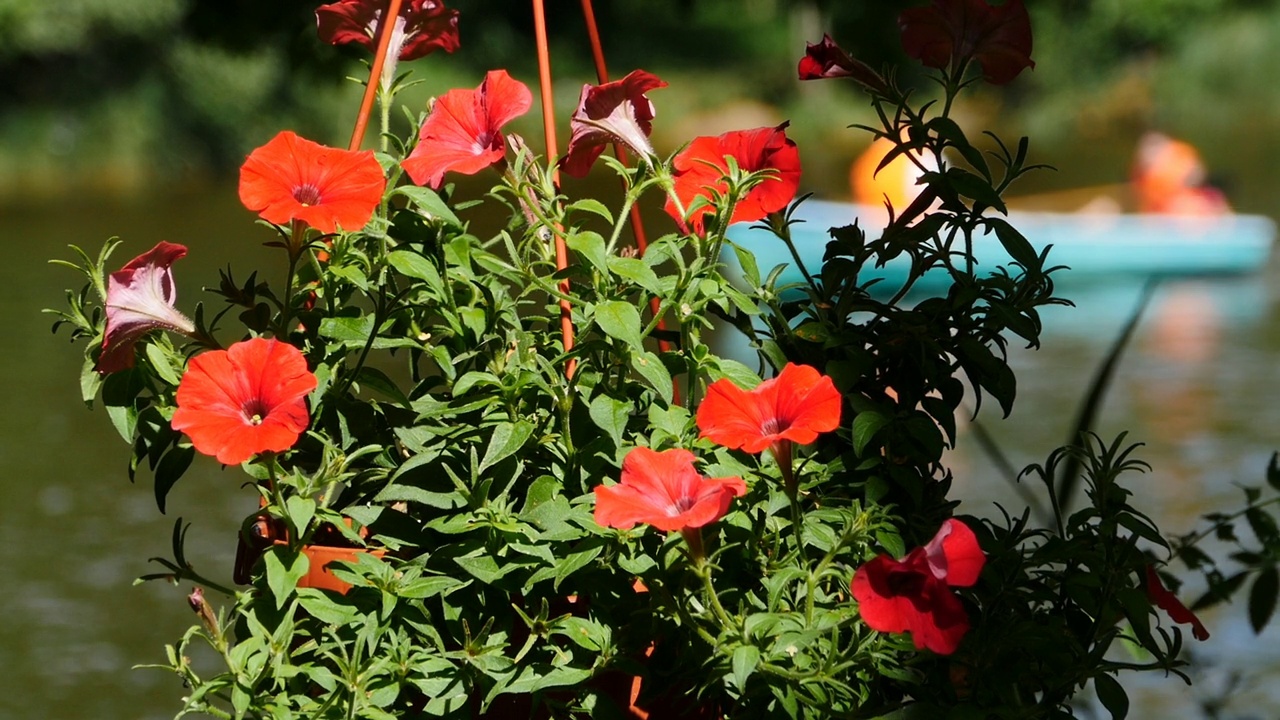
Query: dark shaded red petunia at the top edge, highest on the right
(950, 33)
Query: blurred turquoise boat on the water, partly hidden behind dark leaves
(1092, 245)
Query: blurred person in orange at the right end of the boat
(1171, 179)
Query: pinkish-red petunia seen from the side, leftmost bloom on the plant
(140, 298)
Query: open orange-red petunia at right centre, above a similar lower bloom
(797, 407)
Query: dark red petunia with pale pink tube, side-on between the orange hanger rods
(615, 112)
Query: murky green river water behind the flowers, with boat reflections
(1195, 386)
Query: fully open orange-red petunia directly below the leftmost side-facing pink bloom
(249, 399)
